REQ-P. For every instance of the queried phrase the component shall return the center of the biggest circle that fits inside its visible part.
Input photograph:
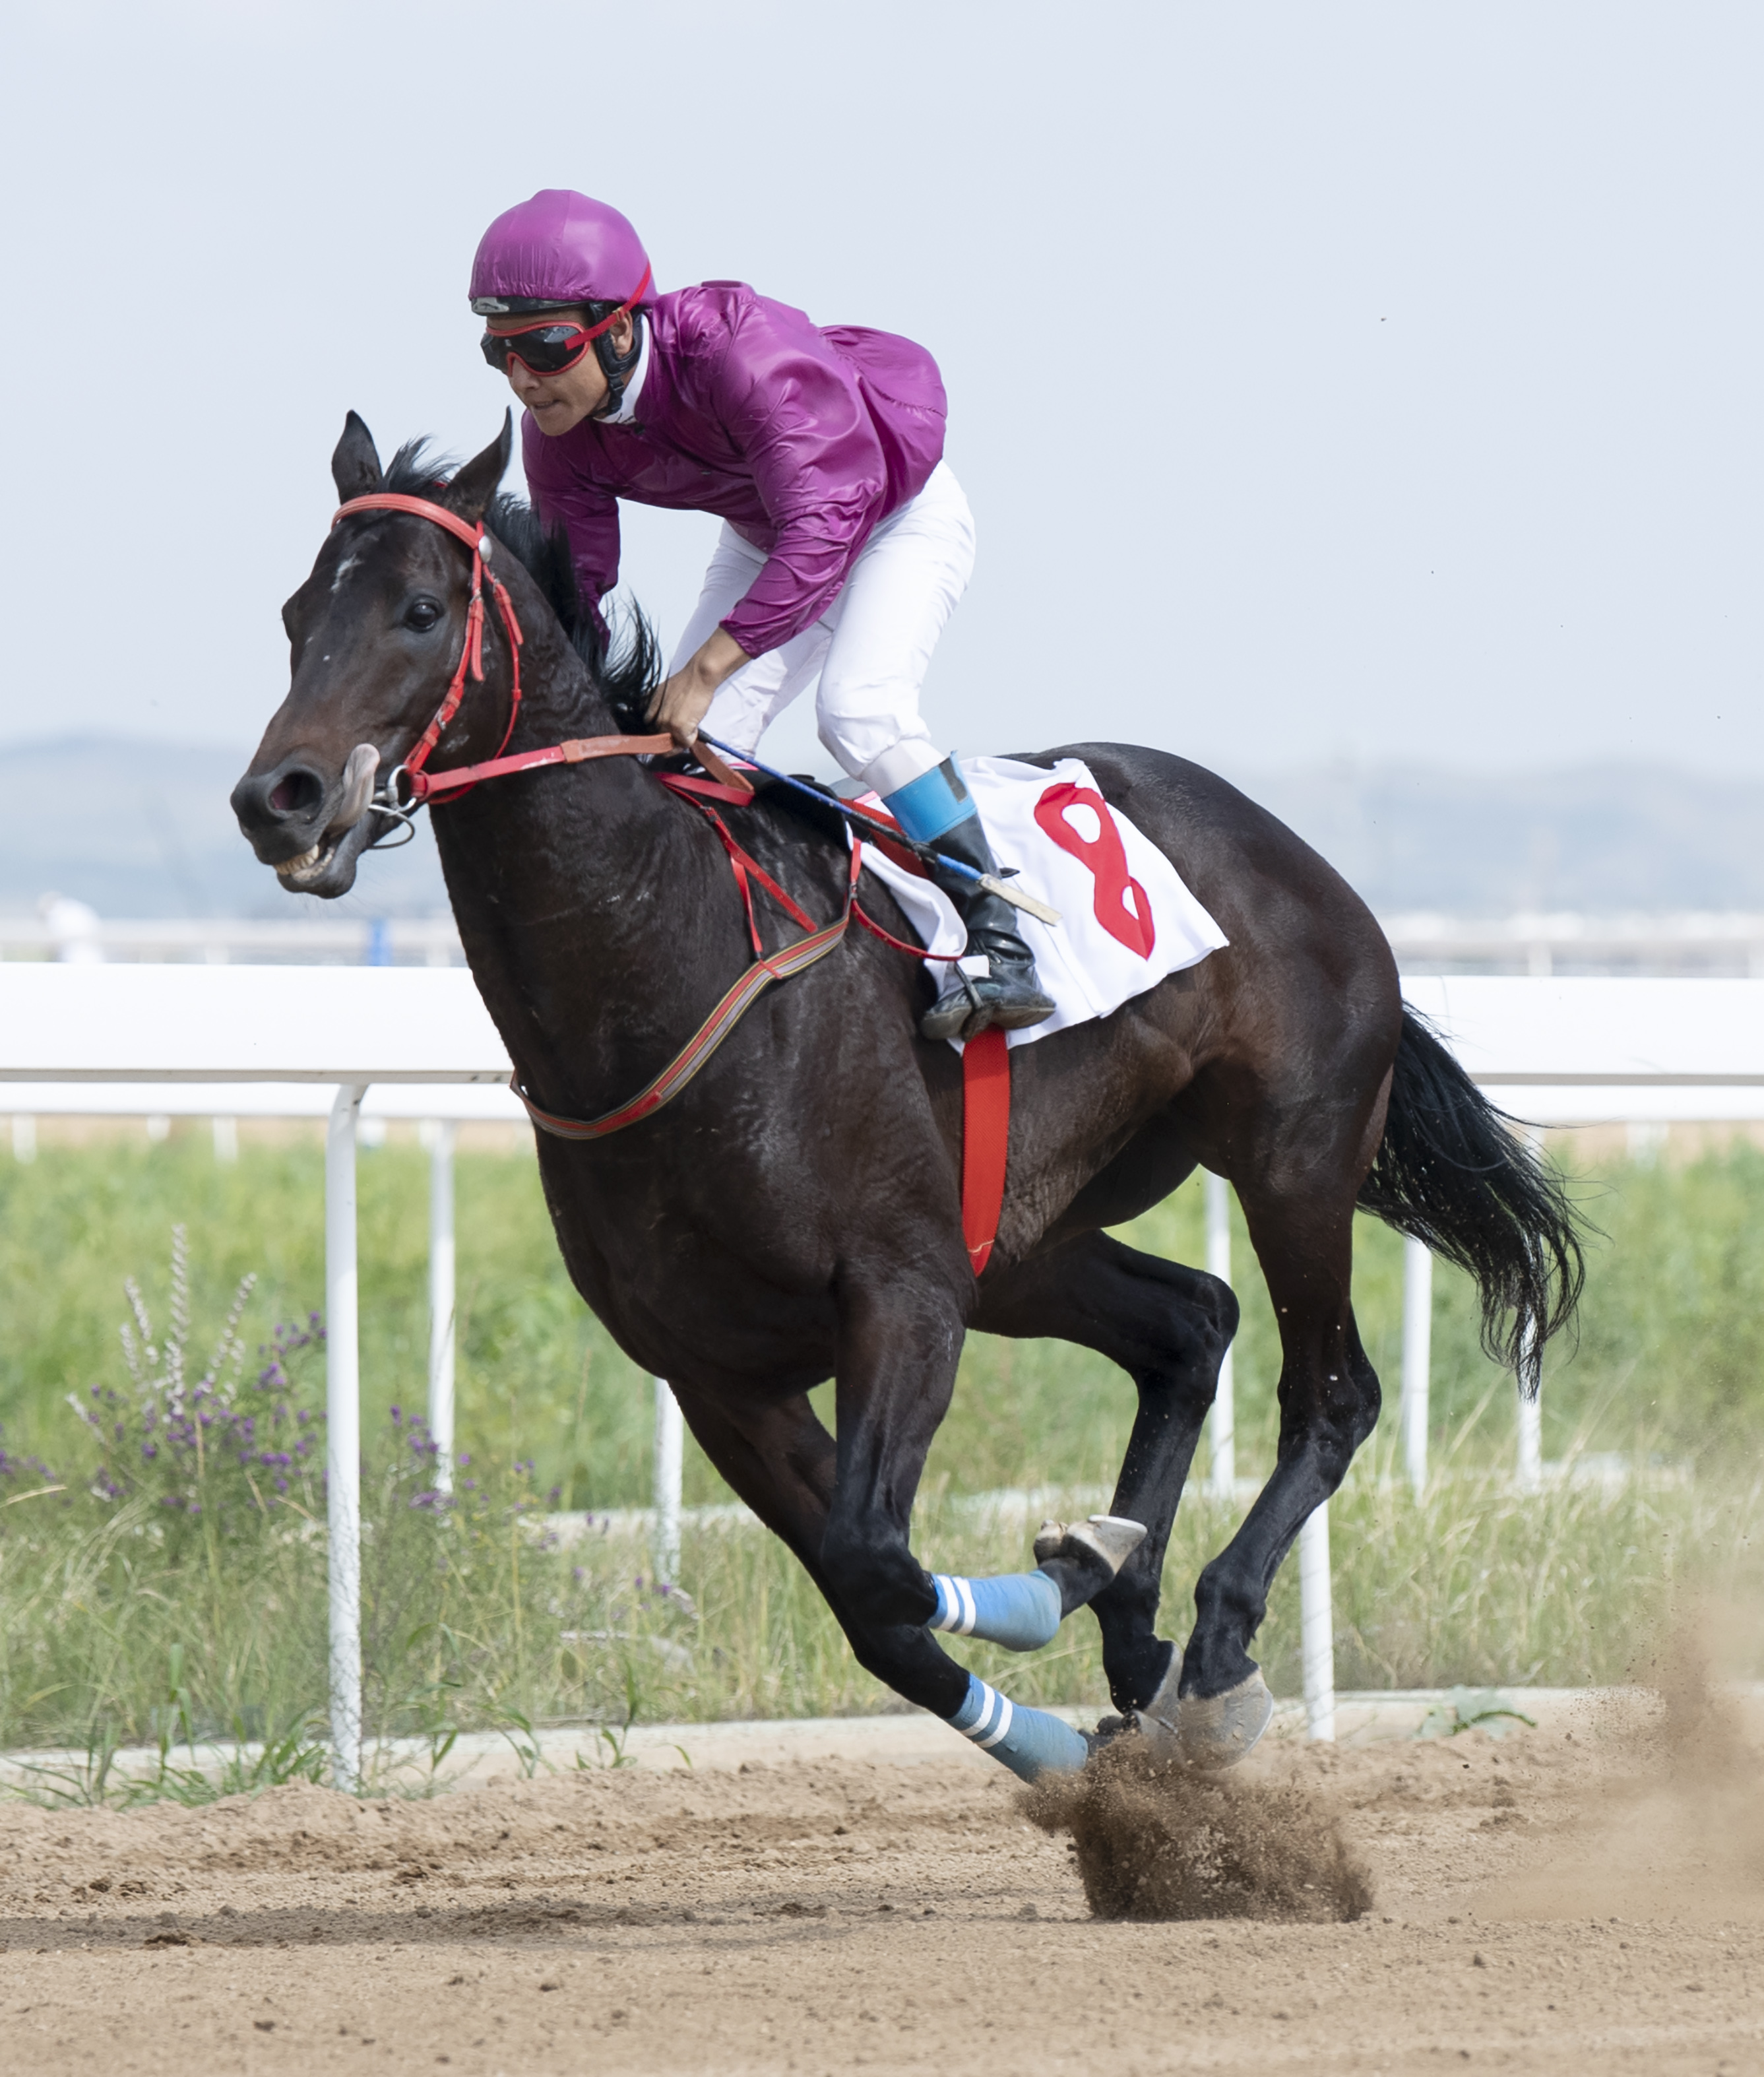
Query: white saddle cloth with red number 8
(1125, 915)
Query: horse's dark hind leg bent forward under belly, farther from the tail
(1169, 1328)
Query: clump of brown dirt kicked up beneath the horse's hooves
(1162, 1841)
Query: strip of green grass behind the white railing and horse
(128, 1621)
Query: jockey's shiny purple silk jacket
(801, 437)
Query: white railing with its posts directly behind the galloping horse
(138, 1040)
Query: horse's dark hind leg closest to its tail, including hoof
(1329, 1405)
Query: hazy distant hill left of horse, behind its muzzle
(144, 830)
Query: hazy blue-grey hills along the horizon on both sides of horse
(144, 830)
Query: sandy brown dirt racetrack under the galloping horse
(1547, 1904)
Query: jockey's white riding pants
(872, 647)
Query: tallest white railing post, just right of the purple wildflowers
(344, 1438)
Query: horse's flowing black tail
(1451, 1172)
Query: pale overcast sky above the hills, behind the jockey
(1329, 381)
